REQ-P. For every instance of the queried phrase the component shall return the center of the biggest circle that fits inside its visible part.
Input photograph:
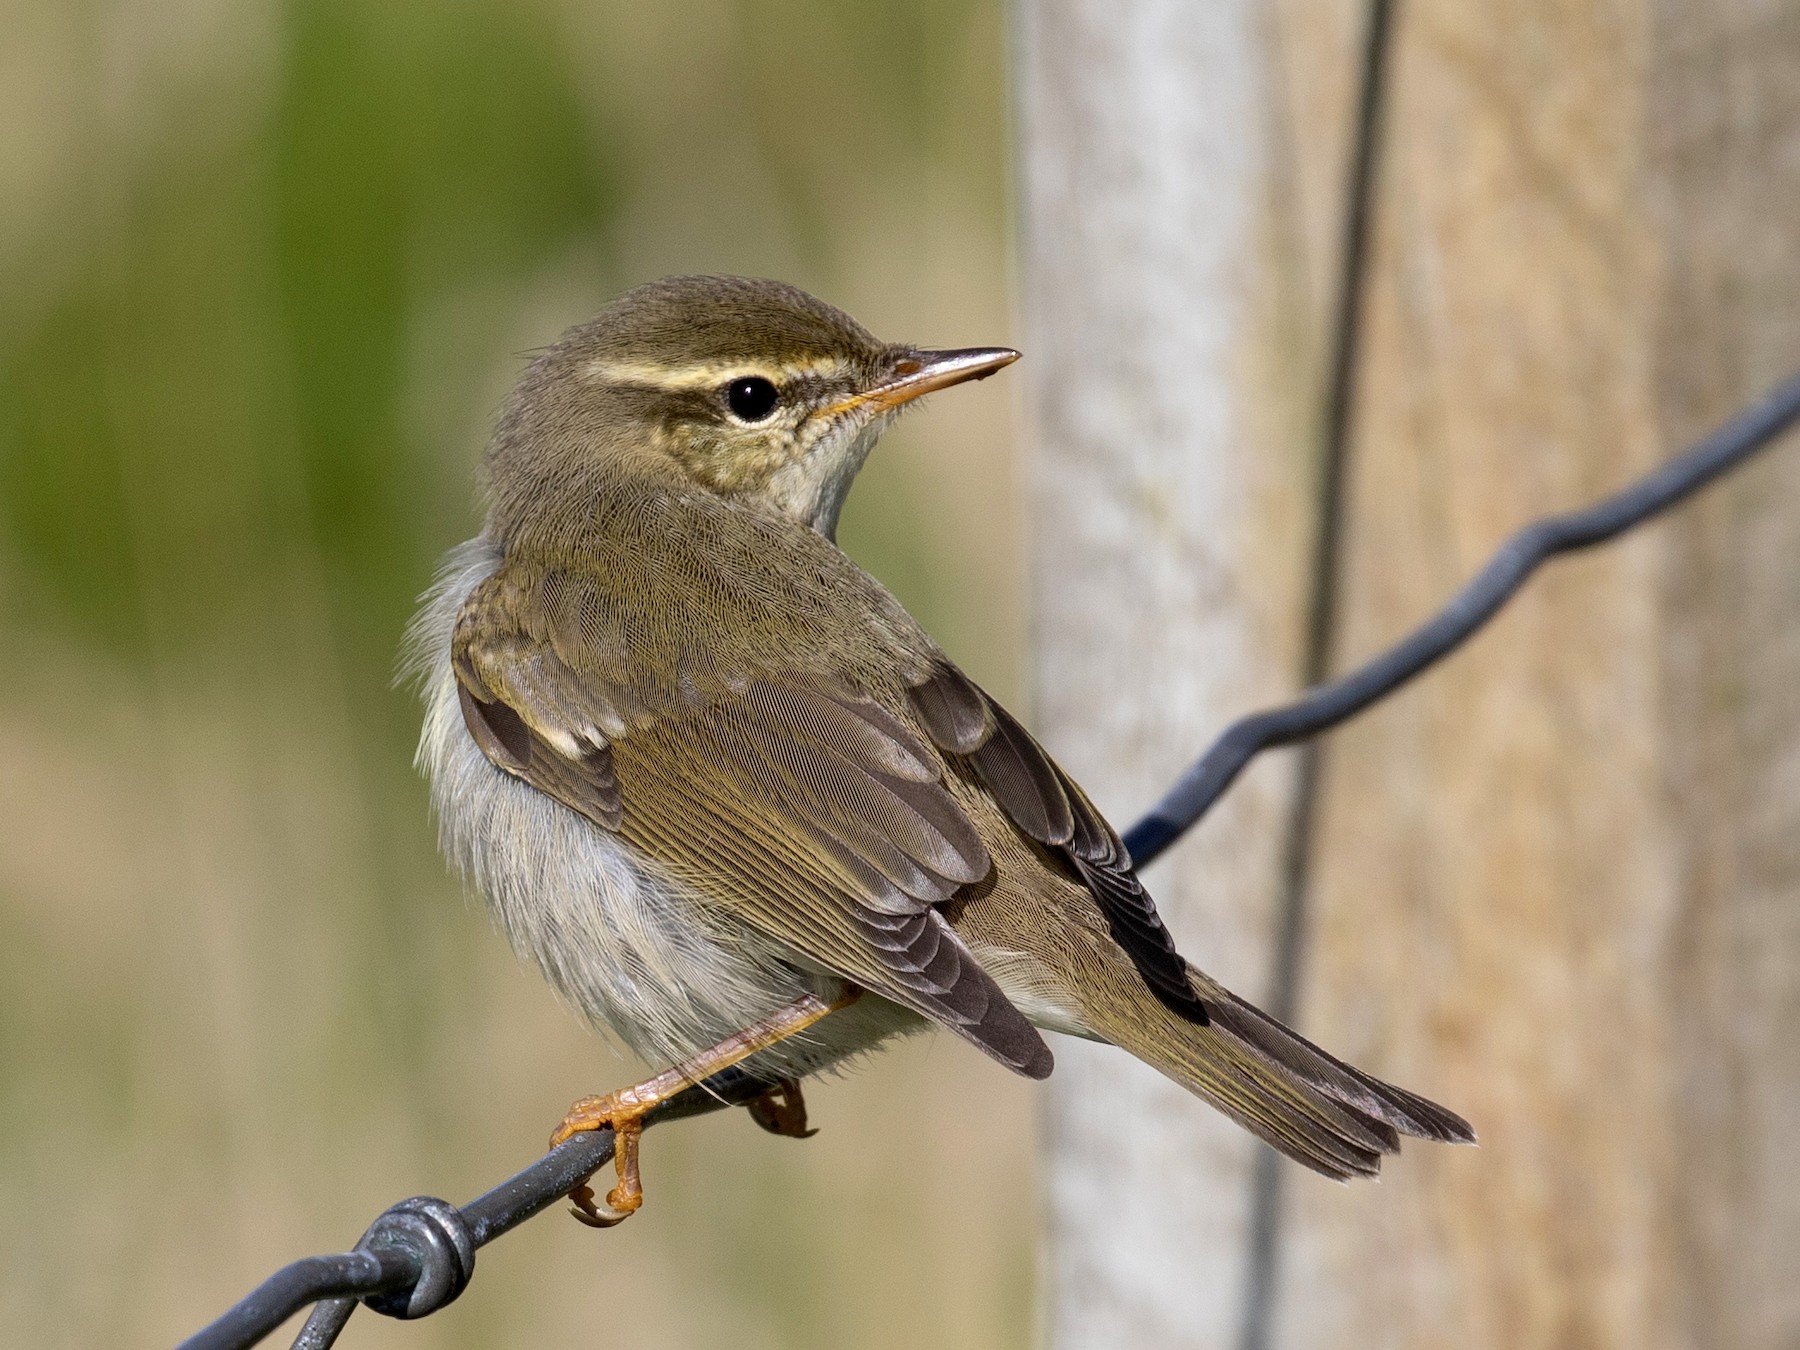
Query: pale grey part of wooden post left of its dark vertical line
(1171, 363)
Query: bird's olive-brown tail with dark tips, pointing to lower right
(1275, 1083)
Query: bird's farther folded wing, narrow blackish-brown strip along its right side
(1048, 807)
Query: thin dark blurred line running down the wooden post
(1322, 624)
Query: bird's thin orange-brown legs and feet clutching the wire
(624, 1111)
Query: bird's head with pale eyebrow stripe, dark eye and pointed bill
(751, 390)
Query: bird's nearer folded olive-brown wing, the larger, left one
(809, 809)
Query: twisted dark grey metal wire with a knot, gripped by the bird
(422, 1254)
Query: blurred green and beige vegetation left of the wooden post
(265, 273)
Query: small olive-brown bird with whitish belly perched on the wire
(737, 804)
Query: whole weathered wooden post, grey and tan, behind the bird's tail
(1558, 883)
